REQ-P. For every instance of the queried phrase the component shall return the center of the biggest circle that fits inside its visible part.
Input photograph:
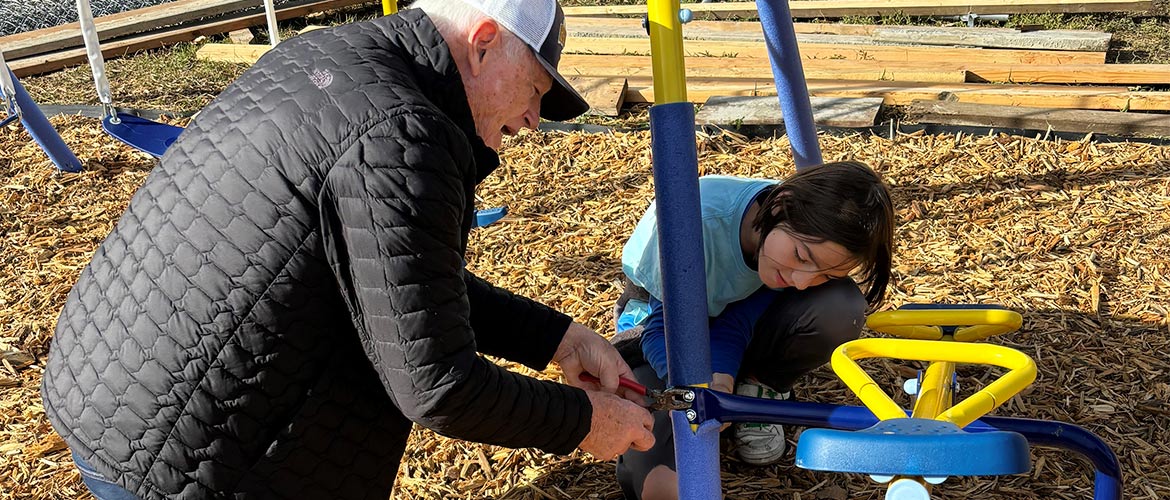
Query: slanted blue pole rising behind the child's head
(781, 37)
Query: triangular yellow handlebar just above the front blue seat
(1022, 372)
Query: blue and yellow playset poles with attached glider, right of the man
(878, 440)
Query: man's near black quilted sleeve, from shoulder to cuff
(391, 218)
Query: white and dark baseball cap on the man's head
(541, 25)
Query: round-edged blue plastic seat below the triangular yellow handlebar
(914, 447)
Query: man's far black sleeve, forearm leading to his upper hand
(514, 327)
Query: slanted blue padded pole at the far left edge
(19, 106)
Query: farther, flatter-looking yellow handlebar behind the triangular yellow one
(924, 324)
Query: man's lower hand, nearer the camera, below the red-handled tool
(618, 426)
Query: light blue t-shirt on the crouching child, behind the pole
(724, 202)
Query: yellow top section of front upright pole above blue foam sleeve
(666, 52)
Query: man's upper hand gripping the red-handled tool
(583, 351)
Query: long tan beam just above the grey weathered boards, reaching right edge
(905, 93)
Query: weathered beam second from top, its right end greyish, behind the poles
(858, 35)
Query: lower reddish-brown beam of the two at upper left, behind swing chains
(65, 59)
